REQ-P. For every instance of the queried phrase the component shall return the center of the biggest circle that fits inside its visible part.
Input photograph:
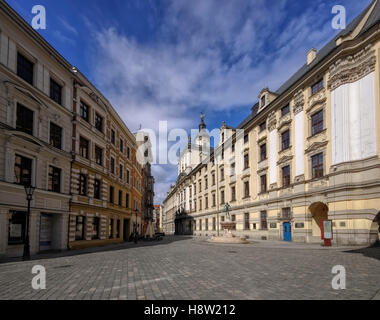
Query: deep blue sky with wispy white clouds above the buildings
(171, 59)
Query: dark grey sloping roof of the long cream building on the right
(372, 20)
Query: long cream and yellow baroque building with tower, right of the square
(307, 152)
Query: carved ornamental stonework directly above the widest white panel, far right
(352, 68)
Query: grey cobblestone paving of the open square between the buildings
(186, 268)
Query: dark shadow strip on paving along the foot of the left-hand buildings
(113, 247)
